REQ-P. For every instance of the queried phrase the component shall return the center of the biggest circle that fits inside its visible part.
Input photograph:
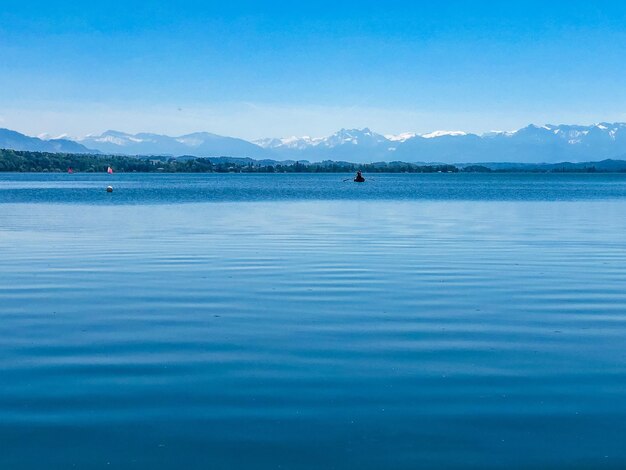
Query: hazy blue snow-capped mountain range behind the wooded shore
(531, 144)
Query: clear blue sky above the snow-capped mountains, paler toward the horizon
(259, 69)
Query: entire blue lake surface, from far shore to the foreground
(298, 322)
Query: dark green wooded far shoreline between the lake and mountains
(20, 161)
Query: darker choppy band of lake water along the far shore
(185, 188)
